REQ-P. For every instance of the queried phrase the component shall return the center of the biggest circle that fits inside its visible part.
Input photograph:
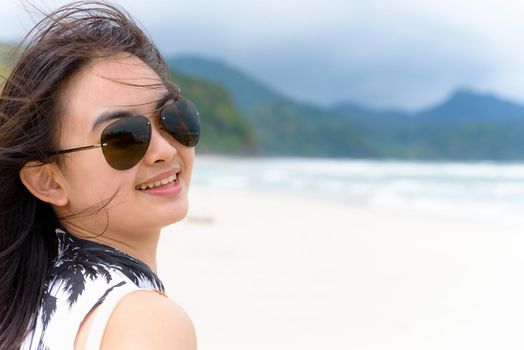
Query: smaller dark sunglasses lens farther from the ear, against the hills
(181, 119)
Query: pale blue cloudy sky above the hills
(396, 54)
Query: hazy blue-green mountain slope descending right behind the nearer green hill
(283, 126)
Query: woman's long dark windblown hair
(61, 44)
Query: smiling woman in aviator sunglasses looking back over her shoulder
(96, 152)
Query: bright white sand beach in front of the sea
(259, 271)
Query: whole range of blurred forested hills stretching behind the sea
(241, 115)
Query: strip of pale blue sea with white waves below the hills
(475, 190)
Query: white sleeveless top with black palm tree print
(83, 275)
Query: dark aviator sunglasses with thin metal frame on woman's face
(125, 141)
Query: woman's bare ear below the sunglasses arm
(43, 180)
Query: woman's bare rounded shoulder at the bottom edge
(146, 320)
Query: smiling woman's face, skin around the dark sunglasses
(120, 83)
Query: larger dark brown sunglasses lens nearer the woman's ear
(126, 141)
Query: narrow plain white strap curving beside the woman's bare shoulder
(104, 311)
